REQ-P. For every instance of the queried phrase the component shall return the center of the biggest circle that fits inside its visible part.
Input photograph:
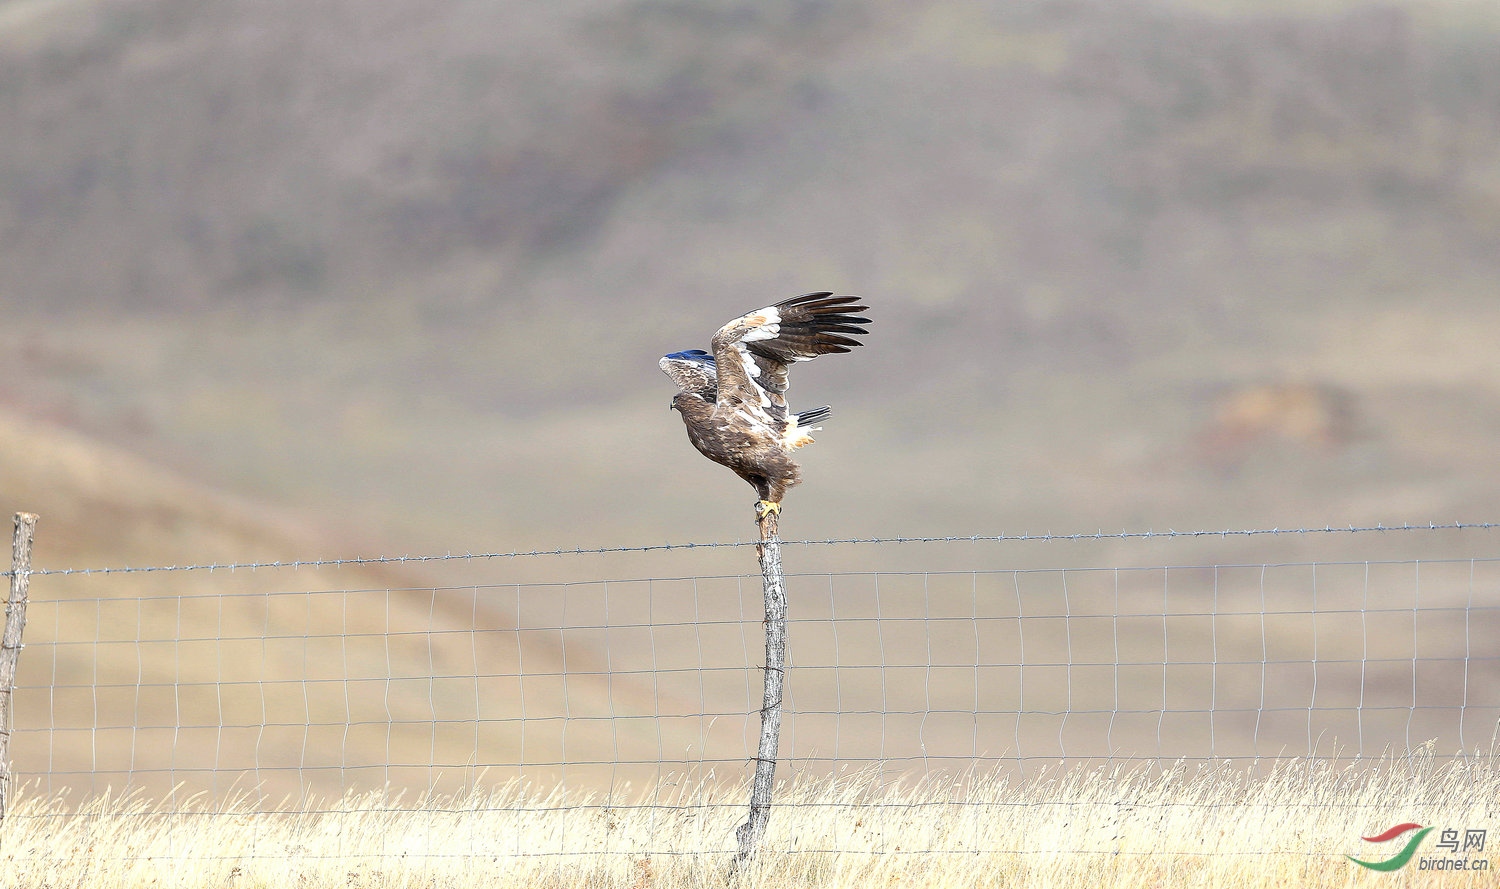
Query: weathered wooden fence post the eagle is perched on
(770, 554)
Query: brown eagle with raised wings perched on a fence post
(734, 398)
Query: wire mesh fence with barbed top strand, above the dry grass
(575, 702)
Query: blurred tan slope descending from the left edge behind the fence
(283, 680)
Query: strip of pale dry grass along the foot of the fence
(1219, 827)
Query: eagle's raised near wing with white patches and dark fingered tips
(752, 353)
